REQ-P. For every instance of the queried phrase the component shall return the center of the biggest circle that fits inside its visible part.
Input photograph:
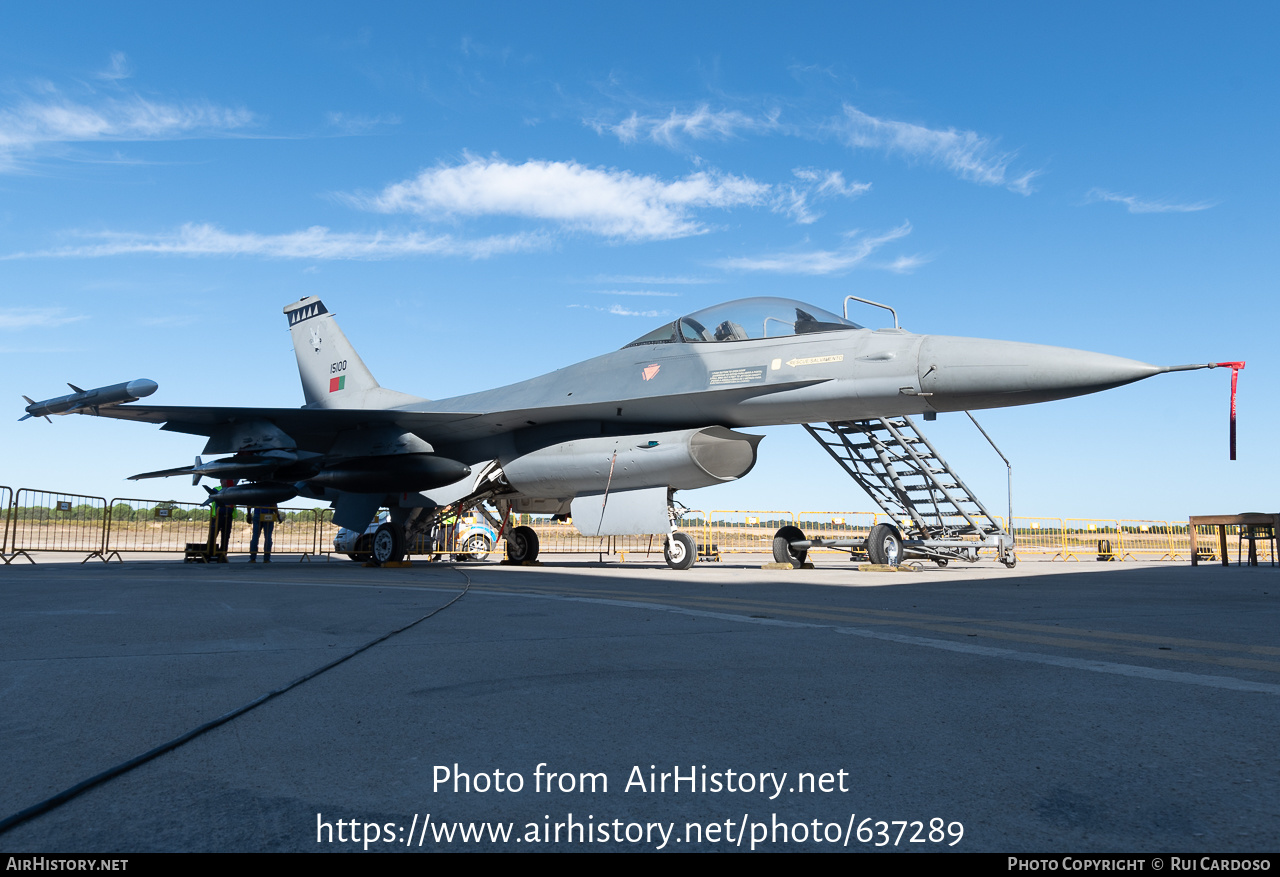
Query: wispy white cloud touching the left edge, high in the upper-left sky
(47, 117)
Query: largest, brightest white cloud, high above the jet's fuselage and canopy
(606, 202)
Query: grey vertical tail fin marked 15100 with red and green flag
(333, 374)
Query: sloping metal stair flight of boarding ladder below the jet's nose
(898, 468)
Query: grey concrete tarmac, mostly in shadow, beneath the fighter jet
(1084, 707)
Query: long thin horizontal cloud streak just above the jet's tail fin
(316, 243)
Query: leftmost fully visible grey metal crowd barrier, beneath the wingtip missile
(48, 522)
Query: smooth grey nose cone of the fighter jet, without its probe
(975, 373)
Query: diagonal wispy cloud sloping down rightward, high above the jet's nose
(966, 153)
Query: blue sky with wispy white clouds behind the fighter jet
(484, 194)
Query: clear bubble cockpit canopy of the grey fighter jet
(748, 319)
